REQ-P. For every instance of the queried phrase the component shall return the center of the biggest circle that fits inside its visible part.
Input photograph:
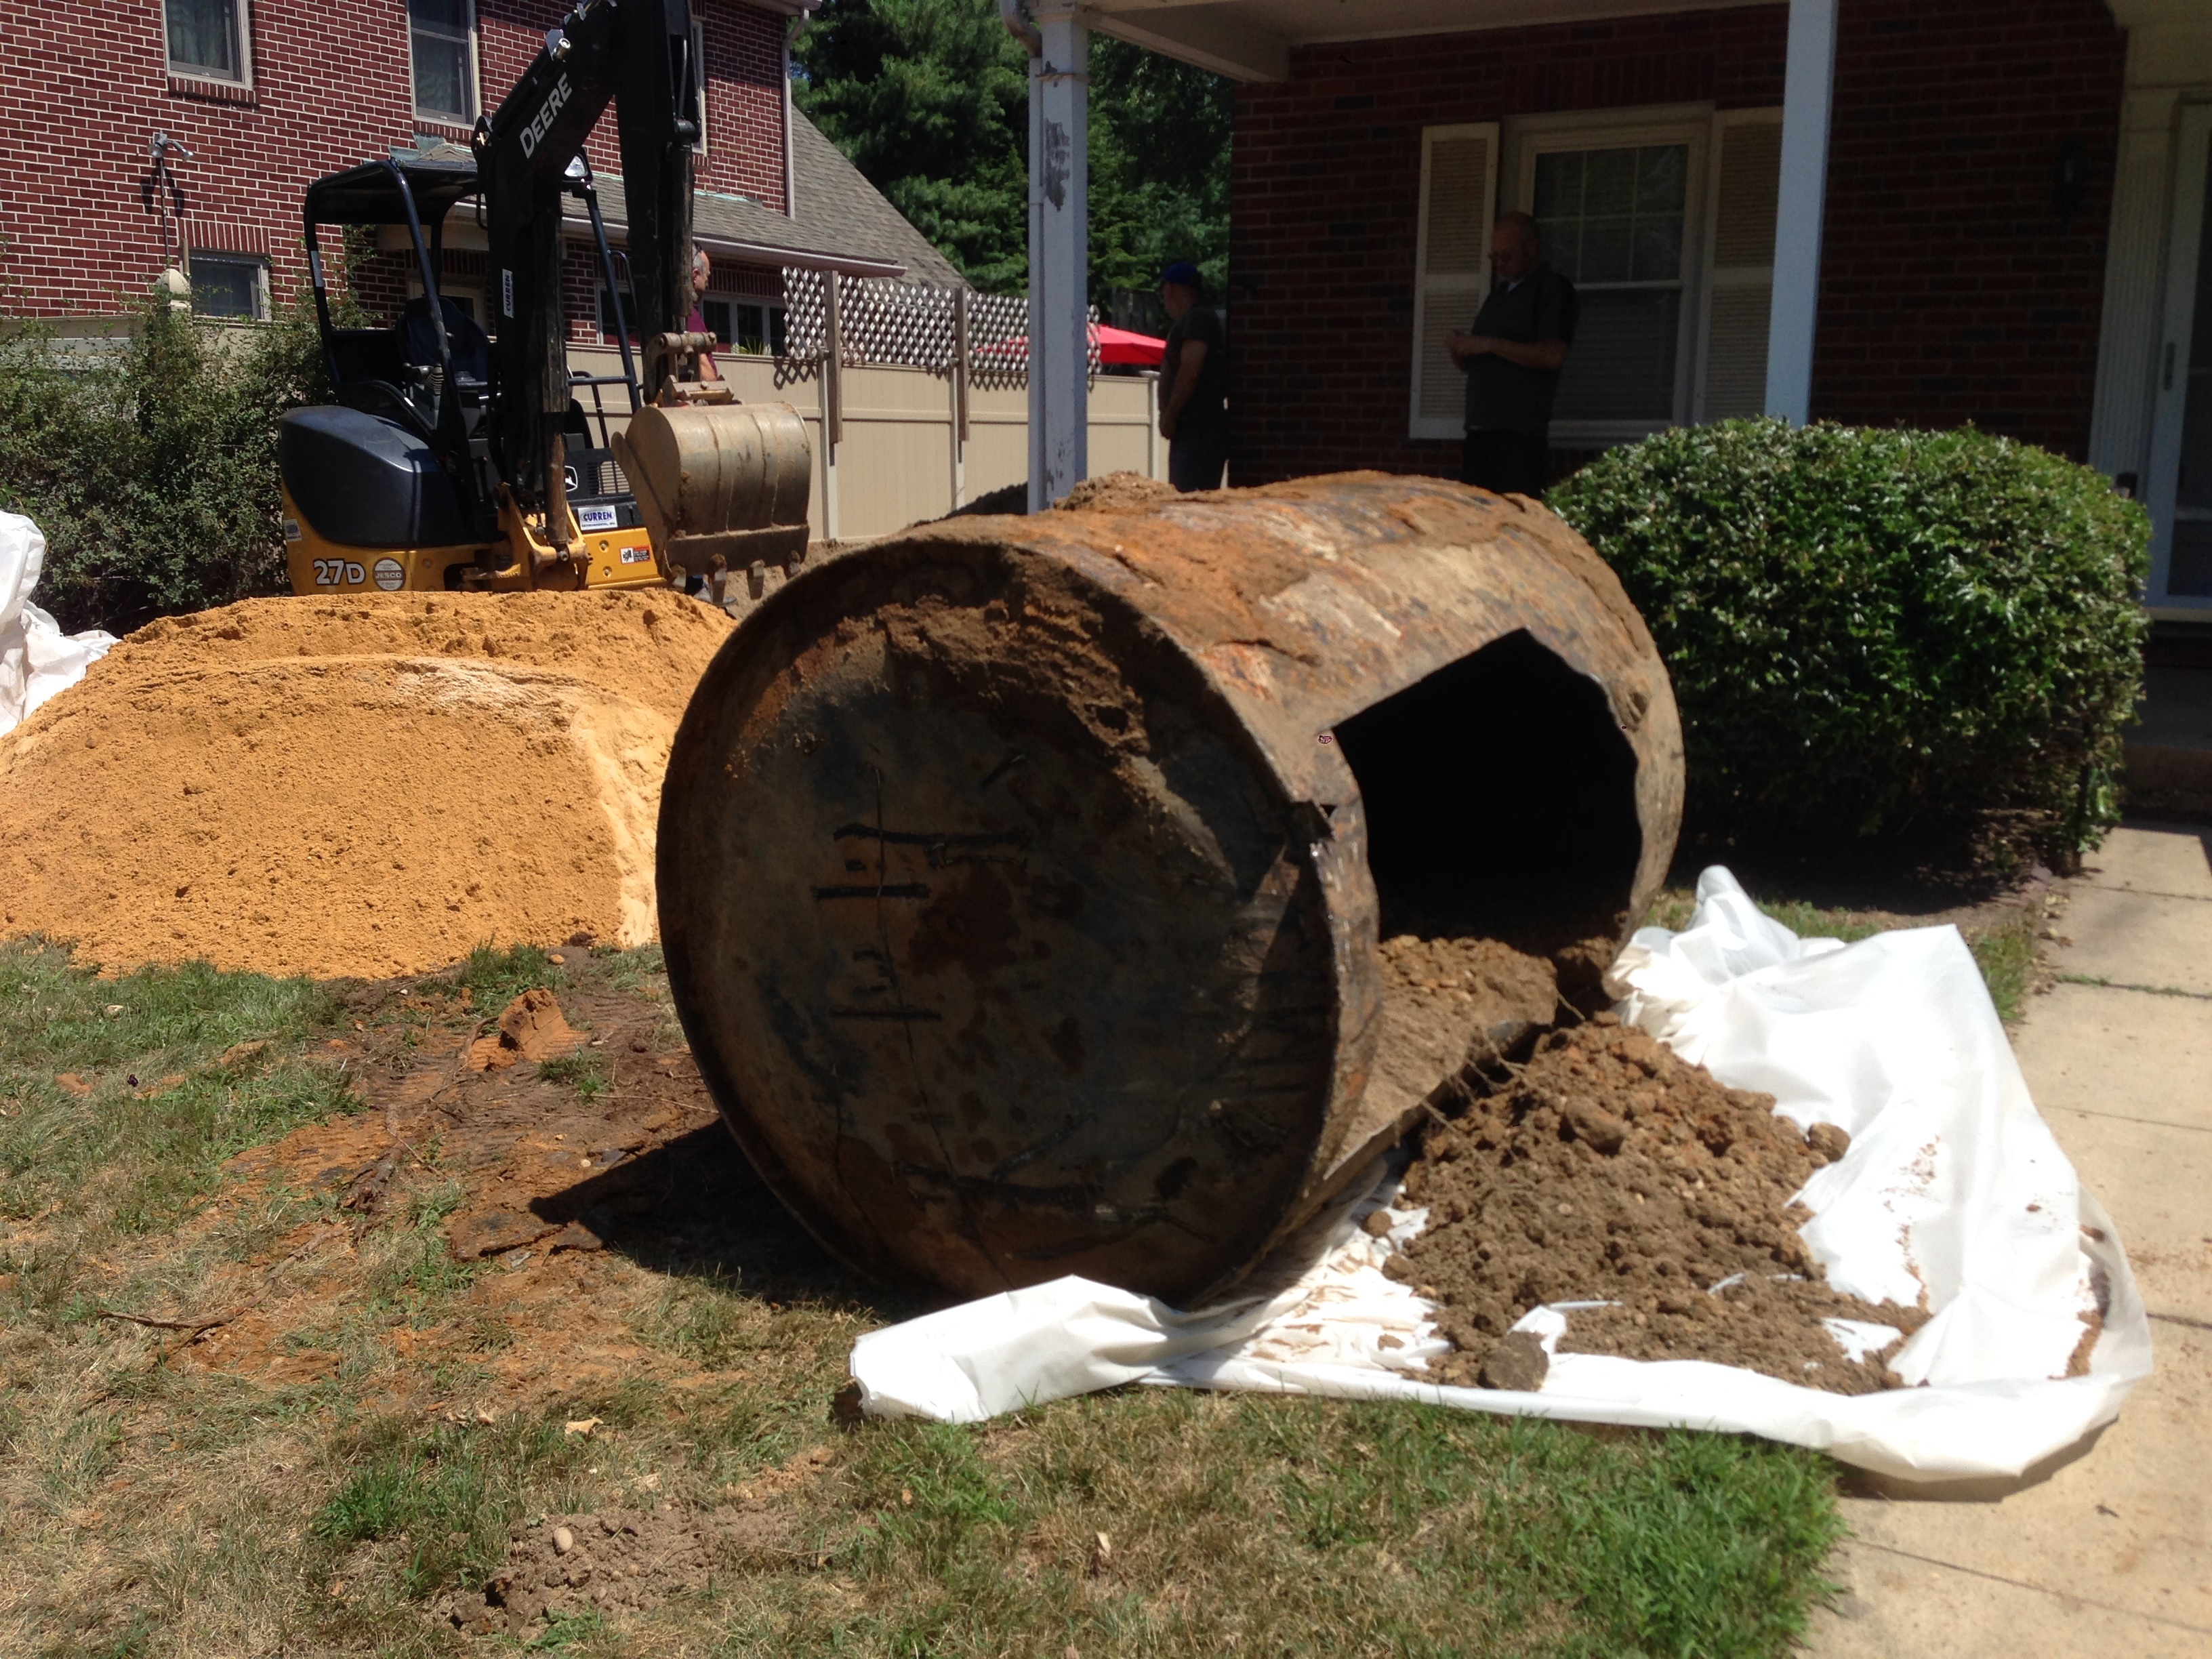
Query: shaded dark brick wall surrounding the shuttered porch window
(1941, 233)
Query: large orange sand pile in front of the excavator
(355, 786)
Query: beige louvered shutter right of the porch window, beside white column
(1740, 264)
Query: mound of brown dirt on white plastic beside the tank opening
(1611, 1171)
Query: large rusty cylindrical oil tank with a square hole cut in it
(1021, 877)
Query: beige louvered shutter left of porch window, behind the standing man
(1459, 200)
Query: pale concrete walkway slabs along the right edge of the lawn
(2111, 1550)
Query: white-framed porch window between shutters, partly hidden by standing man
(1614, 222)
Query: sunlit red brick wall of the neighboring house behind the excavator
(83, 85)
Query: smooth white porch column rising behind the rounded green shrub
(1808, 92)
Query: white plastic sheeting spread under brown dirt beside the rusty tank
(1952, 1185)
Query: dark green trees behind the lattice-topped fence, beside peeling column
(930, 101)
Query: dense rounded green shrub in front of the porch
(1884, 634)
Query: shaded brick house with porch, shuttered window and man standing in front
(1983, 211)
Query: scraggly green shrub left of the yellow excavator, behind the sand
(152, 461)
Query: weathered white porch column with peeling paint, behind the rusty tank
(1058, 253)
